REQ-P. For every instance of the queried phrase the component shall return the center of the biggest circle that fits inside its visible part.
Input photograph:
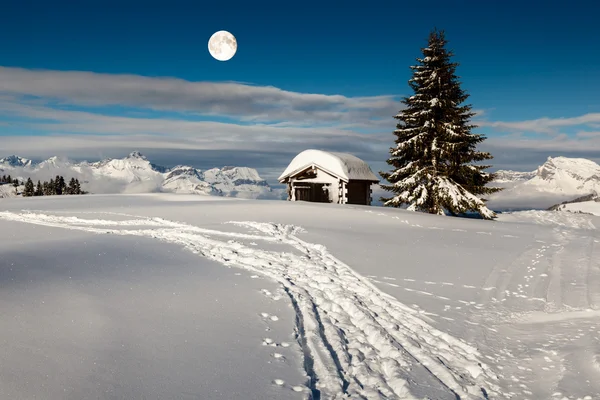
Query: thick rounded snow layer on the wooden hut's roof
(343, 165)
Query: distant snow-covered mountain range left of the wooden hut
(136, 174)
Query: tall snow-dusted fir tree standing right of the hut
(432, 162)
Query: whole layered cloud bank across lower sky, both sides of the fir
(72, 113)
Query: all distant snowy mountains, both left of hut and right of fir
(558, 180)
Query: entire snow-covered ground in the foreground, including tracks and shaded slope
(181, 296)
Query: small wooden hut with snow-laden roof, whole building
(325, 177)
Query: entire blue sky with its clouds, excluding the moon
(91, 79)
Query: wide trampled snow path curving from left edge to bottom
(358, 342)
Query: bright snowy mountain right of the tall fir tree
(558, 179)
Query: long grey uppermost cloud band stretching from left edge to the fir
(243, 101)
